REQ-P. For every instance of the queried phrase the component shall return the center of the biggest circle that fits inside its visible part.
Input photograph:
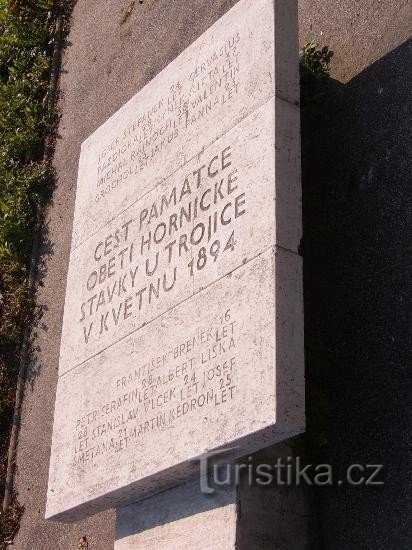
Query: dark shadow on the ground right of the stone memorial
(357, 207)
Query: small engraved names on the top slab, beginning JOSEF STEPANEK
(210, 85)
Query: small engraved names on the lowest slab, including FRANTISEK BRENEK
(192, 375)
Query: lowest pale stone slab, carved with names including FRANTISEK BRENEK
(223, 369)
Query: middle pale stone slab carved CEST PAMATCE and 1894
(208, 218)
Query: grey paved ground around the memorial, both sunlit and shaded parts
(355, 199)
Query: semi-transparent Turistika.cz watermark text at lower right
(286, 471)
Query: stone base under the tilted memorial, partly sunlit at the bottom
(240, 516)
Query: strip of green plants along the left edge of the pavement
(26, 29)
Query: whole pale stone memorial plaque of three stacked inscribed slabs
(183, 323)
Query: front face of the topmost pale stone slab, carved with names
(221, 78)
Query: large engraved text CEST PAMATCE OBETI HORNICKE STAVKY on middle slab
(179, 233)
